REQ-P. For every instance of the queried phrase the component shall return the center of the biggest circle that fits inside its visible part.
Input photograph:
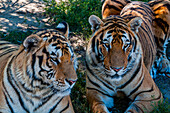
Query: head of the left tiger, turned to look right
(47, 60)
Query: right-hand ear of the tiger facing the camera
(135, 23)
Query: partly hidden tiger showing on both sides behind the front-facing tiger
(160, 26)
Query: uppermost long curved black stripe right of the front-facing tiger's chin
(133, 76)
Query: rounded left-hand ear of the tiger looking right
(31, 42)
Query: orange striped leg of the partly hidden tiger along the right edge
(161, 29)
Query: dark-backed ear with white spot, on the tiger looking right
(63, 27)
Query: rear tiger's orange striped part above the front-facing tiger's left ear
(113, 7)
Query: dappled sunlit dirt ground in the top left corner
(21, 15)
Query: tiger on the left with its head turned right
(38, 75)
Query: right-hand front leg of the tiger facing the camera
(147, 94)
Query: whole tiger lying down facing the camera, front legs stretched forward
(118, 56)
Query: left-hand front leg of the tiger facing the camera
(98, 102)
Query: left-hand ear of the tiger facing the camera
(95, 22)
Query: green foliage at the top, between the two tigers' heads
(75, 12)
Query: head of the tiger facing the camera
(113, 44)
